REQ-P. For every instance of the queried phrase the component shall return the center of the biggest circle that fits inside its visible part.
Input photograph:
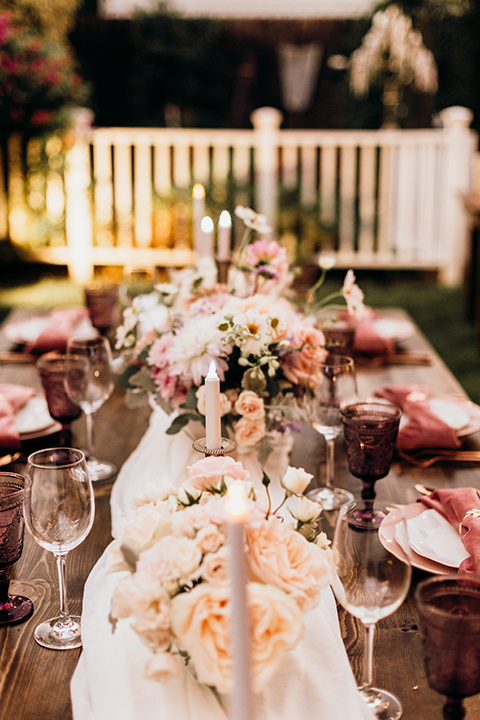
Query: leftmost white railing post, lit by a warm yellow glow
(78, 211)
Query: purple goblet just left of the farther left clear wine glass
(51, 367)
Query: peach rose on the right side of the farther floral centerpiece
(300, 366)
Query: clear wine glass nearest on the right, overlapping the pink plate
(371, 584)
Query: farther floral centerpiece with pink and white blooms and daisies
(263, 343)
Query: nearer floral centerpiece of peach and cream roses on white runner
(177, 593)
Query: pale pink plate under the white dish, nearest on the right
(390, 539)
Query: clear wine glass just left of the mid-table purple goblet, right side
(332, 384)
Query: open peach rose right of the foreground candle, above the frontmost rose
(282, 557)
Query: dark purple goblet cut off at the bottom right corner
(449, 619)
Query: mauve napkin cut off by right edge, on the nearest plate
(461, 507)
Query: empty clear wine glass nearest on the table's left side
(59, 512)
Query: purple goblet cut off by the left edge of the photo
(13, 608)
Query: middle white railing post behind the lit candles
(266, 122)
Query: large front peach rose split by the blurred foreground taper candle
(201, 624)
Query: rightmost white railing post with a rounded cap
(460, 148)
